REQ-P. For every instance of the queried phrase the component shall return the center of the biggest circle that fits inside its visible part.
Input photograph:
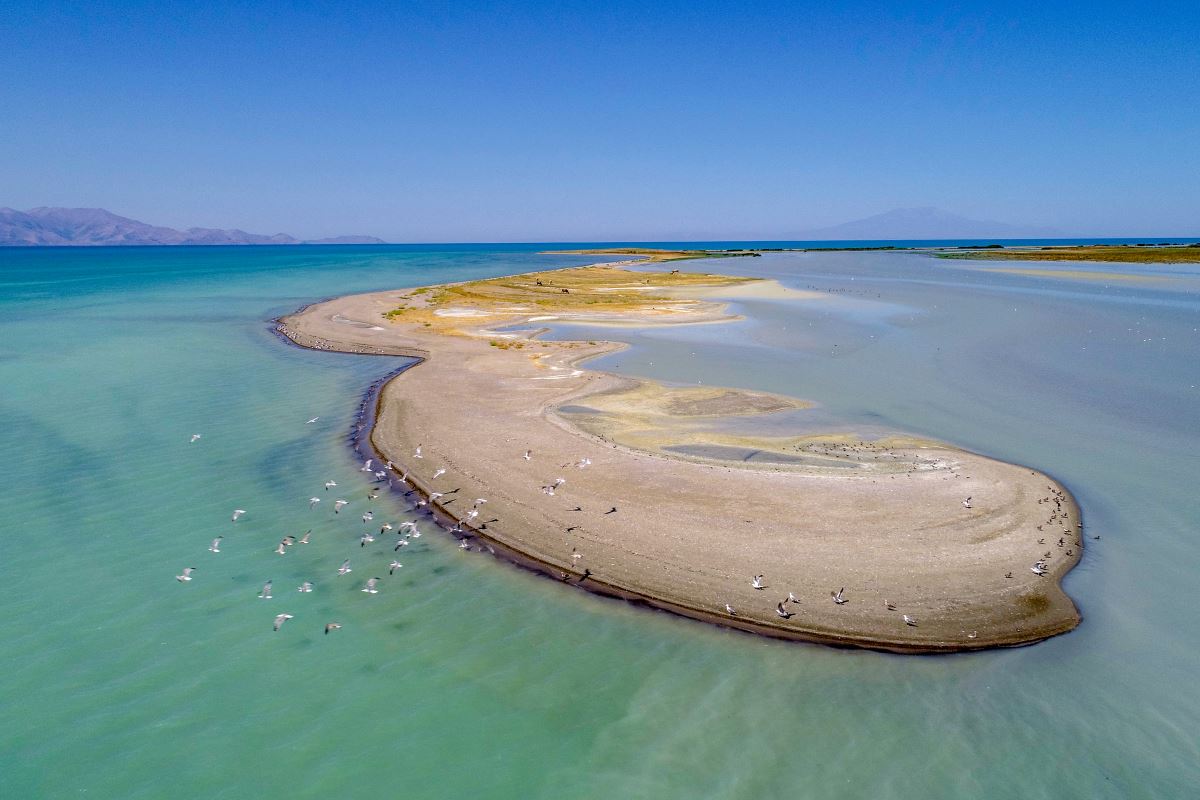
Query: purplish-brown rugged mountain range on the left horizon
(98, 227)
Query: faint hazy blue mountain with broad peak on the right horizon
(927, 224)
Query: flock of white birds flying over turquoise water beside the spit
(407, 533)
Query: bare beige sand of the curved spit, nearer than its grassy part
(884, 520)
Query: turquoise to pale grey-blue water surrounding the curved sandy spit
(465, 677)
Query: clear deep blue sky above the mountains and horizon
(467, 122)
